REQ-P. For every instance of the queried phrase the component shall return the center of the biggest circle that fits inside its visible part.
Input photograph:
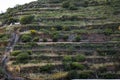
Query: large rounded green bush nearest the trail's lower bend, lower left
(22, 58)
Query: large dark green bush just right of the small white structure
(27, 19)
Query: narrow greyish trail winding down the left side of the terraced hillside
(13, 40)
